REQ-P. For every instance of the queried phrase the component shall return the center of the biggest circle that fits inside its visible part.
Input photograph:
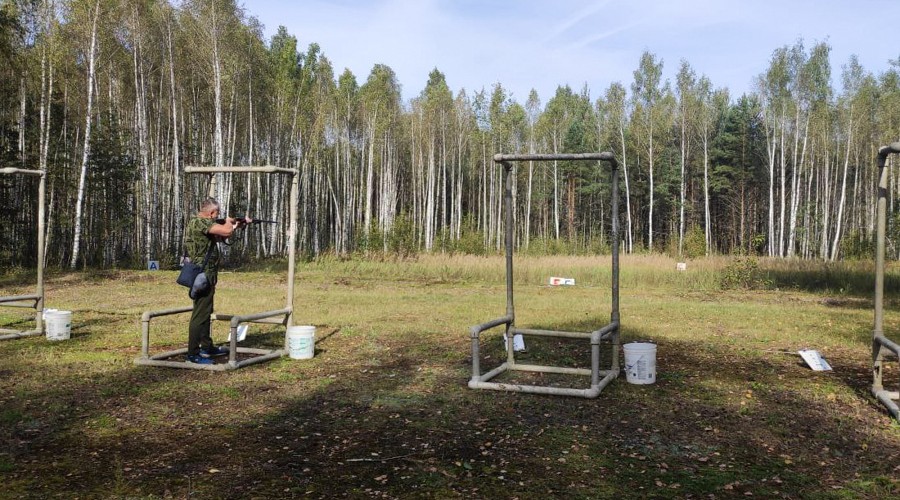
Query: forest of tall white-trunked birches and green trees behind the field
(114, 98)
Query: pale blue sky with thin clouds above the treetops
(541, 44)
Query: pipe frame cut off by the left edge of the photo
(38, 296)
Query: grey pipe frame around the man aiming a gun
(266, 317)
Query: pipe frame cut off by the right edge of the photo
(881, 345)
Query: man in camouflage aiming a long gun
(202, 235)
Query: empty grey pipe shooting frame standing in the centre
(608, 333)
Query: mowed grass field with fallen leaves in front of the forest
(383, 409)
